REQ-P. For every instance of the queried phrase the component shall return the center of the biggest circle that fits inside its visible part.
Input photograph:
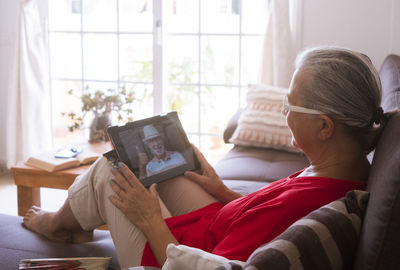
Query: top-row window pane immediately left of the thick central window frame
(136, 15)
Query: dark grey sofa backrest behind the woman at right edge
(380, 236)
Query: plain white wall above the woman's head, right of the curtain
(369, 26)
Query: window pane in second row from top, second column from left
(100, 56)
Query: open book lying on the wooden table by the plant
(48, 162)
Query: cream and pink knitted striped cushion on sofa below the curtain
(262, 124)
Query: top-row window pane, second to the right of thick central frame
(220, 16)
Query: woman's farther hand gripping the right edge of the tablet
(210, 181)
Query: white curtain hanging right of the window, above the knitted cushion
(279, 50)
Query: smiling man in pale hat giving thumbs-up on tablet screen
(162, 159)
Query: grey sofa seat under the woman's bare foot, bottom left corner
(16, 243)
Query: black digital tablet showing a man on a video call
(155, 149)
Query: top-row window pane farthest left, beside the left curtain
(64, 15)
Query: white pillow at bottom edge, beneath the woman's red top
(184, 257)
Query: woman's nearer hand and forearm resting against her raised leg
(141, 207)
